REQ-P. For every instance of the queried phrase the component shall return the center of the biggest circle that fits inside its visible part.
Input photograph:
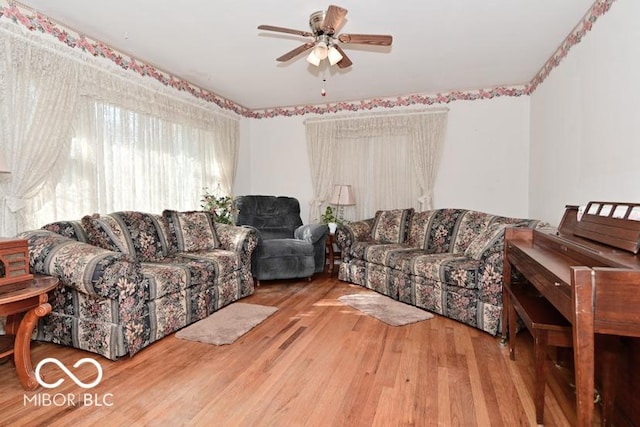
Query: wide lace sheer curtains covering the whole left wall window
(87, 136)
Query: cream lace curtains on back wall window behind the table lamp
(390, 160)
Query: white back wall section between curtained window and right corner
(485, 160)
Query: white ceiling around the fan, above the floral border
(438, 45)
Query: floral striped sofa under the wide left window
(131, 278)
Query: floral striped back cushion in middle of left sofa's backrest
(133, 233)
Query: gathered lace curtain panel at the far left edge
(38, 92)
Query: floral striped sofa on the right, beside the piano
(447, 261)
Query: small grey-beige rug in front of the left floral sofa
(228, 324)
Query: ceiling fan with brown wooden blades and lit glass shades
(324, 25)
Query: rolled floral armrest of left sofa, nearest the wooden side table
(85, 268)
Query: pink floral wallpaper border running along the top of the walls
(38, 22)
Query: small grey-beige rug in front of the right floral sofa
(386, 309)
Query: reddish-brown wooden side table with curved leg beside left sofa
(30, 299)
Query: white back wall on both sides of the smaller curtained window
(484, 165)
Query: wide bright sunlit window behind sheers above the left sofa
(123, 160)
